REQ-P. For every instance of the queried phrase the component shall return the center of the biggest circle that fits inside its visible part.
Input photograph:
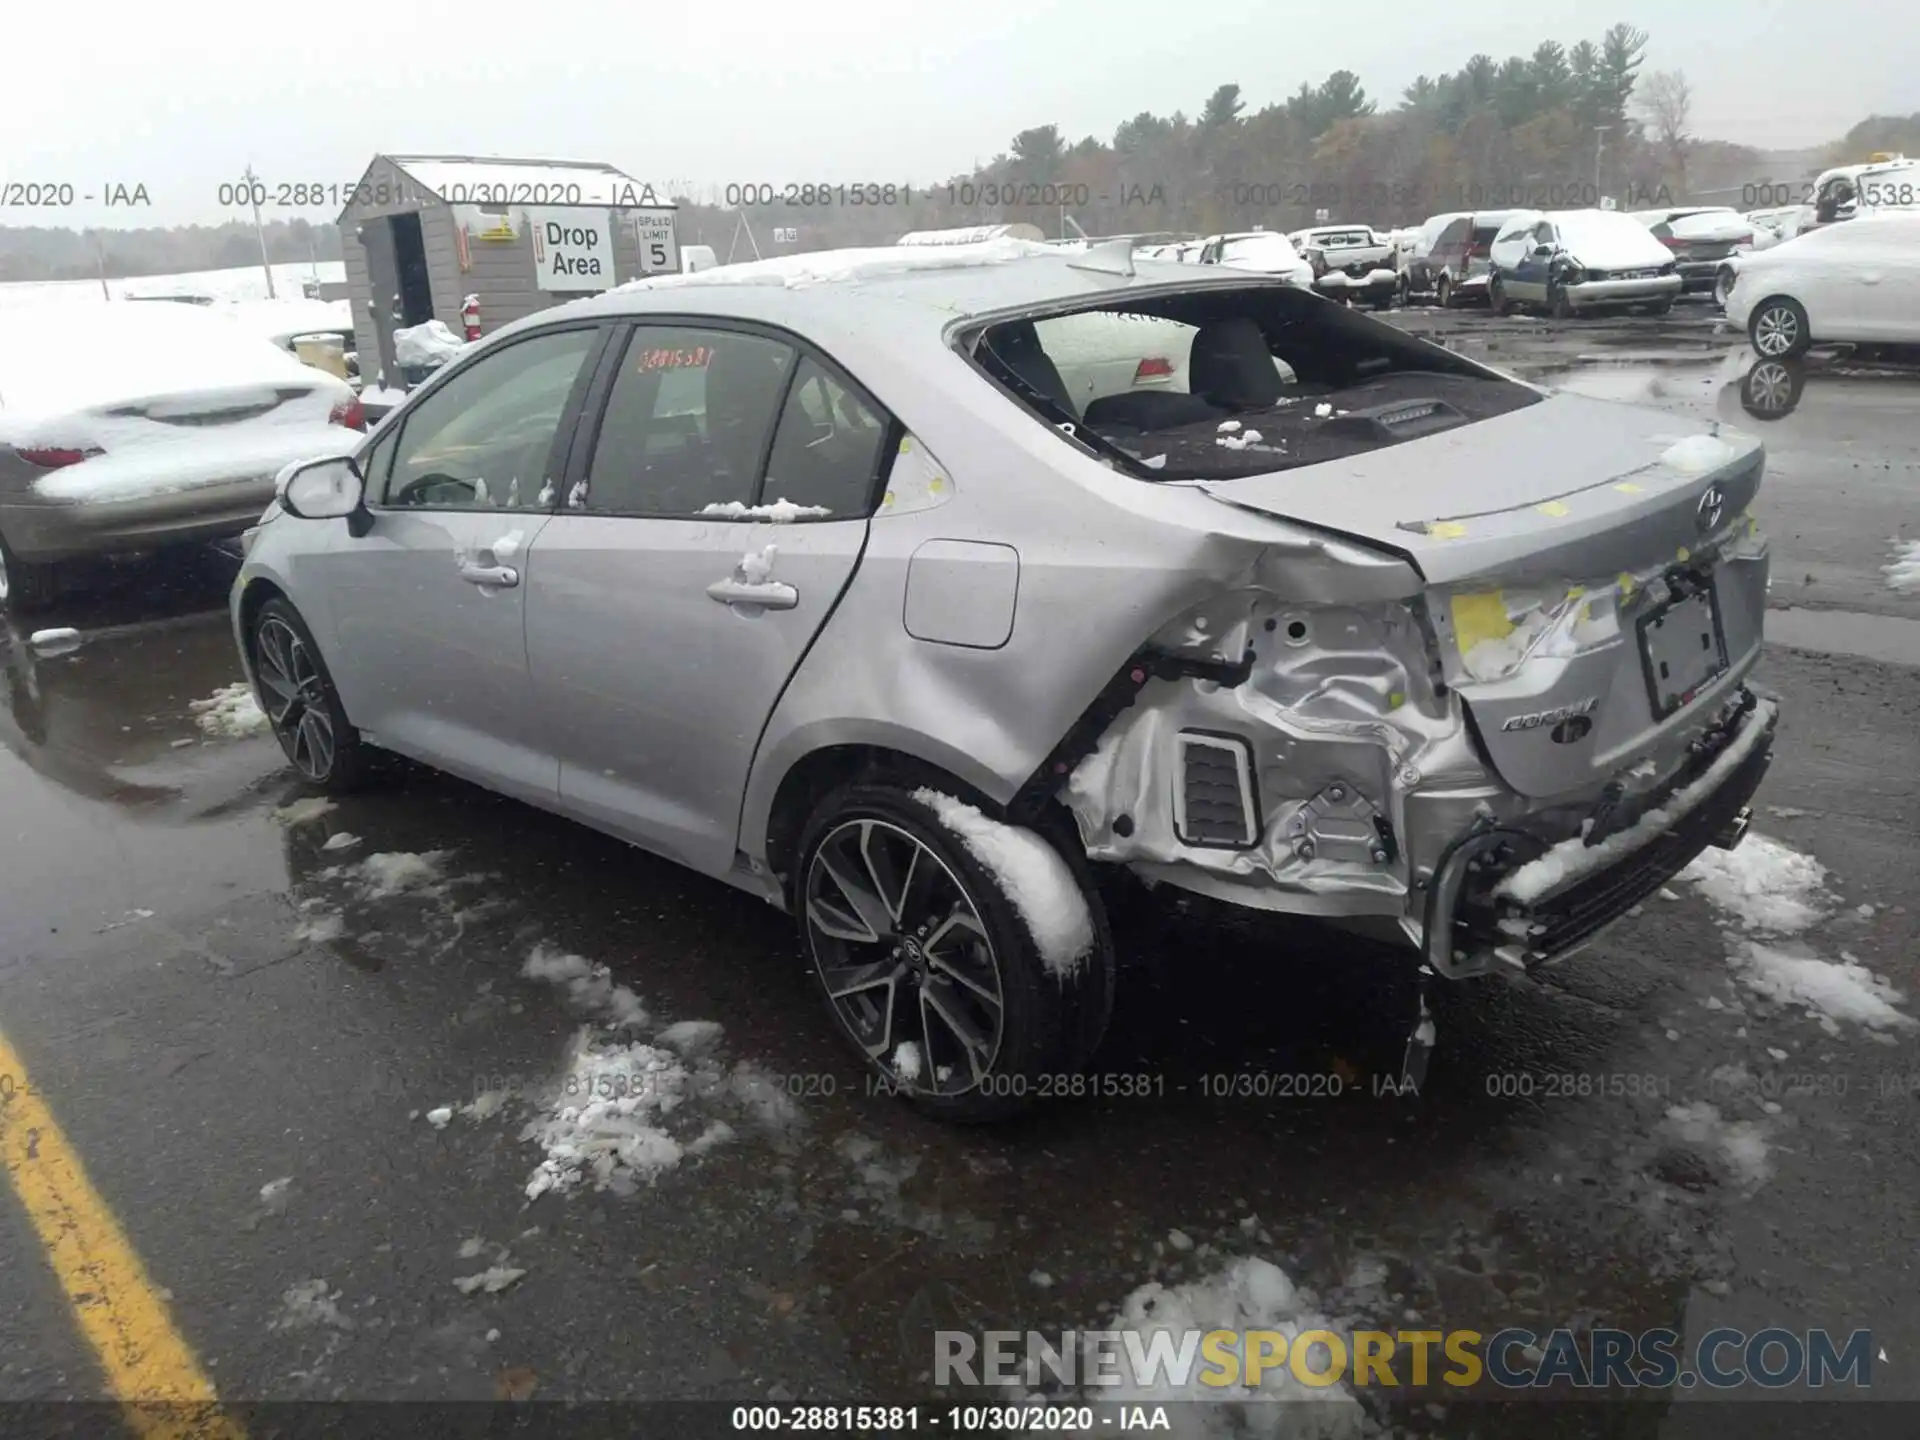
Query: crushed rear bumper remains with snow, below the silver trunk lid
(1510, 900)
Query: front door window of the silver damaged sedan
(485, 439)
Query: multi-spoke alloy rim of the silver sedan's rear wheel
(905, 959)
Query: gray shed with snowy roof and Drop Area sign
(425, 233)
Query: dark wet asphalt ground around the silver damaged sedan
(197, 1045)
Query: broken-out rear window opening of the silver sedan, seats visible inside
(1220, 383)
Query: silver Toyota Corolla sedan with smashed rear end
(817, 579)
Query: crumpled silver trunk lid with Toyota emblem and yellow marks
(1593, 577)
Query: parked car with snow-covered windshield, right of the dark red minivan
(1577, 262)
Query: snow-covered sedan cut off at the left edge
(130, 427)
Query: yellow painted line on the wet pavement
(145, 1360)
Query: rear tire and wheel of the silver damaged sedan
(982, 971)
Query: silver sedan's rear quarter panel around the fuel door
(1105, 564)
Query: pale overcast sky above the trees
(181, 97)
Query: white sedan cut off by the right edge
(1842, 283)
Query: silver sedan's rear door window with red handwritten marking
(688, 423)
